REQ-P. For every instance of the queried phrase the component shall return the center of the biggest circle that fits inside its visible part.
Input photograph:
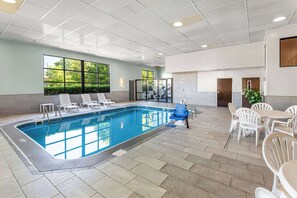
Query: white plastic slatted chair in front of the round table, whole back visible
(249, 120)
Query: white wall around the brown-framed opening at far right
(281, 81)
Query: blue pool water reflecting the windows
(85, 135)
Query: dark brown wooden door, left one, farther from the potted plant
(224, 92)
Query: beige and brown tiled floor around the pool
(178, 163)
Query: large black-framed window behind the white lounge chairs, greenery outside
(64, 75)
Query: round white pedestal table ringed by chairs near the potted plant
(268, 115)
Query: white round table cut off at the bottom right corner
(288, 177)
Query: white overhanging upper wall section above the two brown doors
(240, 56)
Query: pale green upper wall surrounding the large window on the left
(21, 68)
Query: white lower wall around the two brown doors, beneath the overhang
(207, 81)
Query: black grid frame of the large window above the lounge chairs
(82, 73)
